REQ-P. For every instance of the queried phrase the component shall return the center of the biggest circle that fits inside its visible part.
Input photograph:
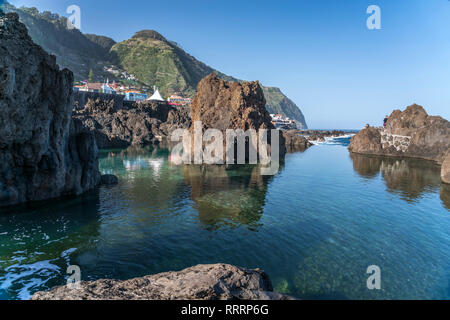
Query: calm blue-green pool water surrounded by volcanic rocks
(315, 227)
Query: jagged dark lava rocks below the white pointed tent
(142, 124)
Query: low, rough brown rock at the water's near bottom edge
(201, 282)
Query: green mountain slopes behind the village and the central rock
(148, 56)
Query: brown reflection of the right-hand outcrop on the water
(411, 177)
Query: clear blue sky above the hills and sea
(319, 52)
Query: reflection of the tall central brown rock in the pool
(227, 195)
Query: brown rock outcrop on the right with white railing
(411, 133)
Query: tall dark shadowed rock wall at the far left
(43, 153)
